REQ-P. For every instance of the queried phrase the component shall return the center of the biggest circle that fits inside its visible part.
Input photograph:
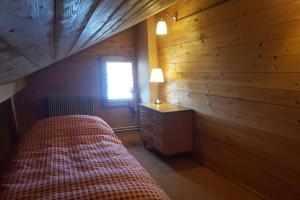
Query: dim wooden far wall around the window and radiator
(78, 74)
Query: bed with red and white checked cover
(76, 157)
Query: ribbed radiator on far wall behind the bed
(59, 105)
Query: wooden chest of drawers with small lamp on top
(166, 127)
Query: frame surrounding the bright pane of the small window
(116, 102)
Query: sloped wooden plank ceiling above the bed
(37, 33)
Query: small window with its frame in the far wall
(118, 80)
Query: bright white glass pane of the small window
(119, 80)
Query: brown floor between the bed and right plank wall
(183, 178)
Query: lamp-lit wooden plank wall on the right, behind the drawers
(237, 64)
